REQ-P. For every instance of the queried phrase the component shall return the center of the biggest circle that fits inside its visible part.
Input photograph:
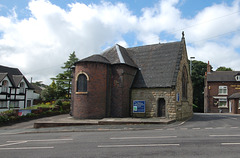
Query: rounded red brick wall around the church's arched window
(94, 103)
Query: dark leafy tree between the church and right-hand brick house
(198, 74)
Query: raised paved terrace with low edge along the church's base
(67, 120)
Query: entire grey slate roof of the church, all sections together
(158, 64)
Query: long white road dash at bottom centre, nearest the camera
(136, 145)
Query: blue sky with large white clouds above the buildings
(37, 36)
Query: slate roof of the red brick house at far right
(222, 76)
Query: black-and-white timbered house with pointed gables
(15, 90)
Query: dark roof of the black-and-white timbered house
(14, 75)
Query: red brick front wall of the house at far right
(213, 88)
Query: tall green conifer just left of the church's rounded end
(63, 80)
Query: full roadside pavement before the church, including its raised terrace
(65, 123)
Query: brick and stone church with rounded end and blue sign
(145, 81)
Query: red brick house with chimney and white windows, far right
(221, 92)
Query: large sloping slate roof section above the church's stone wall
(158, 64)
